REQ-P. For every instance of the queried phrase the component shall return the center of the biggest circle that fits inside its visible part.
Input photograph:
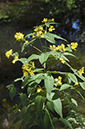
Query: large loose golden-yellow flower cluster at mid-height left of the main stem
(28, 69)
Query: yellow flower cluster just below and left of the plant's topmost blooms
(38, 32)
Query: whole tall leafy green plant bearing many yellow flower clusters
(47, 99)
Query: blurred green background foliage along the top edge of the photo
(10, 11)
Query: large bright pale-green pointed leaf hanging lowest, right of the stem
(58, 106)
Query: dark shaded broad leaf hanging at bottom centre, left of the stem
(39, 100)
